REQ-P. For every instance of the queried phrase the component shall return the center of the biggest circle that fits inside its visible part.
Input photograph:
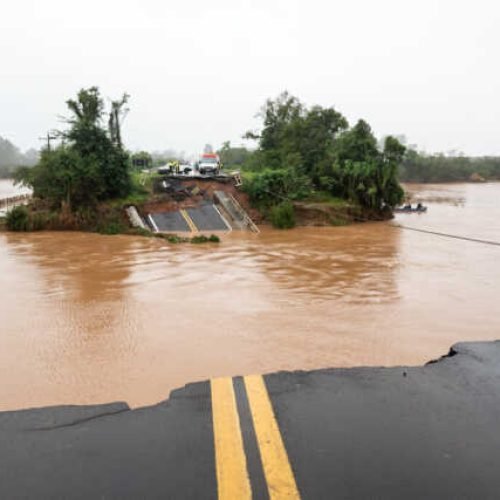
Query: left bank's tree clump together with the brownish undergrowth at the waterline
(84, 182)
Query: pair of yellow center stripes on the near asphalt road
(231, 465)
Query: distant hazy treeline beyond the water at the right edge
(420, 167)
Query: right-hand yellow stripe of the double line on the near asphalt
(279, 475)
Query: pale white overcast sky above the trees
(198, 71)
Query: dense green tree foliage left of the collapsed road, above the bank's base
(90, 165)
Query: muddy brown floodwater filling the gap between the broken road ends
(87, 318)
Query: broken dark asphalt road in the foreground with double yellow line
(423, 432)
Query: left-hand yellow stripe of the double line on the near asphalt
(231, 465)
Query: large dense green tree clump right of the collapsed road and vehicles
(302, 150)
